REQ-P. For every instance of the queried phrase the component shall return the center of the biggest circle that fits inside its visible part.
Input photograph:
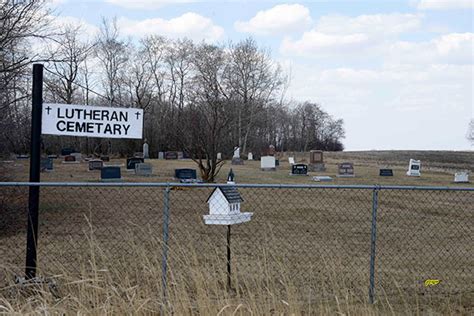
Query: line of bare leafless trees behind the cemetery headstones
(197, 97)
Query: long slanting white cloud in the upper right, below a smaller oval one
(355, 36)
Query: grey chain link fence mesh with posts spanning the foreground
(375, 241)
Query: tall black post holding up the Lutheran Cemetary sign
(35, 152)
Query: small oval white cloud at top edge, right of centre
(283, 18)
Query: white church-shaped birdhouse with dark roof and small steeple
(224, 205)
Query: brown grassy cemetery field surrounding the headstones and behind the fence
(305, 251)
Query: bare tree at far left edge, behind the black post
(20, 22)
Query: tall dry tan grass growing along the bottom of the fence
(135, 287)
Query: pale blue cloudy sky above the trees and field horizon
(400, 73)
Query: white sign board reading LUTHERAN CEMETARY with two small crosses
(92, 121)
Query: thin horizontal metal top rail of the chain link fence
(239, 185)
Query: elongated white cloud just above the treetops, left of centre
(190, 25)
